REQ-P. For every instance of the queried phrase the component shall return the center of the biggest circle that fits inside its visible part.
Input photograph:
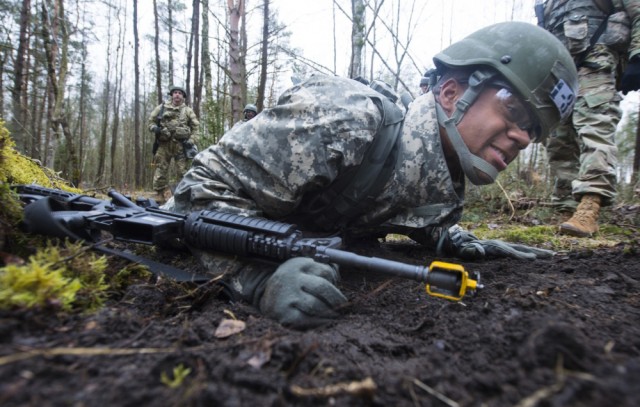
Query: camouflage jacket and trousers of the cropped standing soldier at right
(582, 152)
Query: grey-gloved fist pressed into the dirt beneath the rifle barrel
(301, 293)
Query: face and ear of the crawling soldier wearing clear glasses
(495, 127)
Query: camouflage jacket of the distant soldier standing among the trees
(181, 121)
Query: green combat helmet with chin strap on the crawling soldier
(523, 57)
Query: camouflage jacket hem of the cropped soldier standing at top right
(575, 22)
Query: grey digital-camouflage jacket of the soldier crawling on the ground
(318, 131)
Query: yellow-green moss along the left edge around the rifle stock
(66, 277)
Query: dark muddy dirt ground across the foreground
(558, 332)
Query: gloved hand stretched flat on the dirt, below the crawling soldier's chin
(466, 246)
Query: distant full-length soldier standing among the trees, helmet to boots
(175, 126)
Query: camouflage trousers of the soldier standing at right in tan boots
(582, 152)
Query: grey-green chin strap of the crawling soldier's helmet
(470, 163)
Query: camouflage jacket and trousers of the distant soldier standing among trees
(179, 124)
